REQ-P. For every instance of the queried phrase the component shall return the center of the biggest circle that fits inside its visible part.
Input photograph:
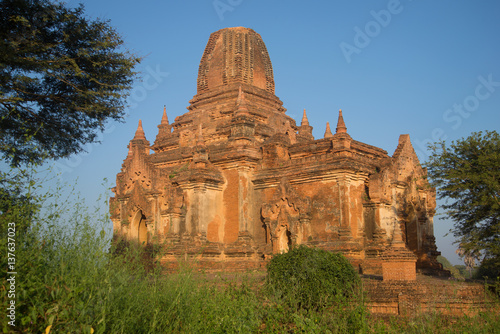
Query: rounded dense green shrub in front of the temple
(308, 278)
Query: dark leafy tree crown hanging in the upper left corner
(62, 76)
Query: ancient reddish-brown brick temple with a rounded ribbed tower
(235, 179)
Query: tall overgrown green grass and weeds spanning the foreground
(71, 279)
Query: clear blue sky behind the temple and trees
(427, 68)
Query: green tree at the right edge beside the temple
(467, 175)
